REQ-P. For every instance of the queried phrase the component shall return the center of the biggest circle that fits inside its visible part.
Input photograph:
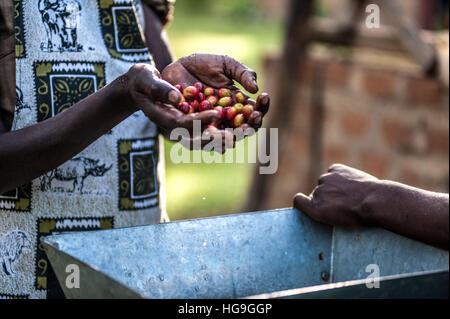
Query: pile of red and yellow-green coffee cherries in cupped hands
(233, 110)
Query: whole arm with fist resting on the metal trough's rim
(349, 197)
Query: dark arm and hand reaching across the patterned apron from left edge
(30, 152)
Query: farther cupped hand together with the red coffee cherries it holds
(203, 78)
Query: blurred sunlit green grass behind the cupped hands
(239, 29)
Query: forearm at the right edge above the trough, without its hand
(409, 211)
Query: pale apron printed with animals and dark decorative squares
(65, 51)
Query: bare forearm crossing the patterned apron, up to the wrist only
(30, 152)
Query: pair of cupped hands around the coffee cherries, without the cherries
(159, 100)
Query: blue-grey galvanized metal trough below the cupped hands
(270, 254)
